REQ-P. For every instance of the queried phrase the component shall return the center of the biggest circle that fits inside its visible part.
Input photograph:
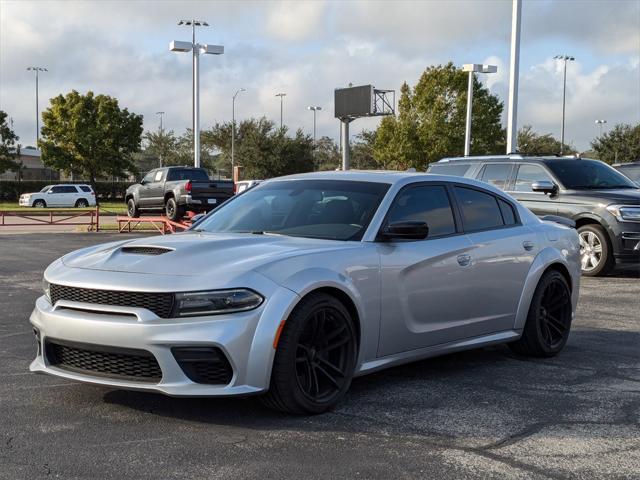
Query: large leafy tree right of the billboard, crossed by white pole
(430, 123)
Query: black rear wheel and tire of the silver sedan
(549, 320)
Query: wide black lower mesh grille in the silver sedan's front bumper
(98, 360)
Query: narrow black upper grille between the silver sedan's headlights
(159, 303)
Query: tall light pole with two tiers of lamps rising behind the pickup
(197, 49)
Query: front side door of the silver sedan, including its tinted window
(423, 282)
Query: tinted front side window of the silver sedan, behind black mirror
(425, 203)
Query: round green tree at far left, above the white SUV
(90, 135)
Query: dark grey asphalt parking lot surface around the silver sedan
(480, 414)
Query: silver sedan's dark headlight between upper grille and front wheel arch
(215, 302)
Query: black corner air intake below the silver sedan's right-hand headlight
(207, 365)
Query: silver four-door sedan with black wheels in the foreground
(299, 284)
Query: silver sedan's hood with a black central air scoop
(198, 254)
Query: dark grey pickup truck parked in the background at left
(176, 190)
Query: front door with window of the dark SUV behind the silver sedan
(527, 174)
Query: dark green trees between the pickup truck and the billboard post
(260, 149)
